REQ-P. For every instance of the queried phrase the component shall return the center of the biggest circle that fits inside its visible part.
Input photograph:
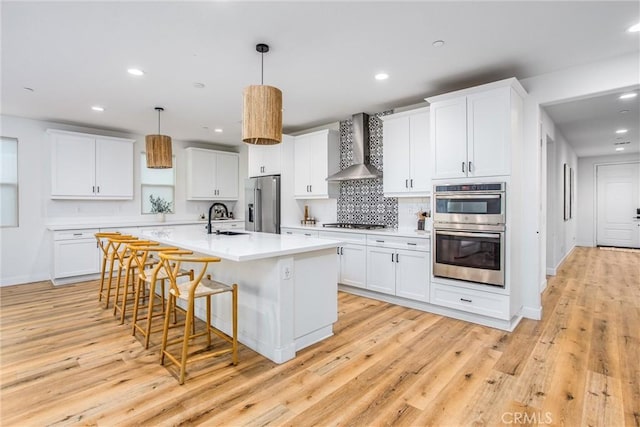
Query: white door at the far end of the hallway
(617, 201)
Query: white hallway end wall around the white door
(586, 203)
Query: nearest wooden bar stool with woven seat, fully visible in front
(198, 287)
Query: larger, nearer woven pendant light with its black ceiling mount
(262, 110)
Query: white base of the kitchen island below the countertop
(284, 303)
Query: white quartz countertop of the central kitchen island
(242, 247)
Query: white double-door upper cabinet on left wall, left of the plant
(85, 166)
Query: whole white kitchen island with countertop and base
(287, 286)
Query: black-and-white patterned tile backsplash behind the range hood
(362, 201)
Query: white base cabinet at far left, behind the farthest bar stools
(75, 253)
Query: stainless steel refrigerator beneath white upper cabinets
(262, 204)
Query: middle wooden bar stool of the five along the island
(126, 263)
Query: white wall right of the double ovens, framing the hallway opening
(571, 83)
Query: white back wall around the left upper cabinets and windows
(26, 250)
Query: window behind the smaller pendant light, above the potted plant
(156, 183)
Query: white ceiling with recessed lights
(323, 57)
